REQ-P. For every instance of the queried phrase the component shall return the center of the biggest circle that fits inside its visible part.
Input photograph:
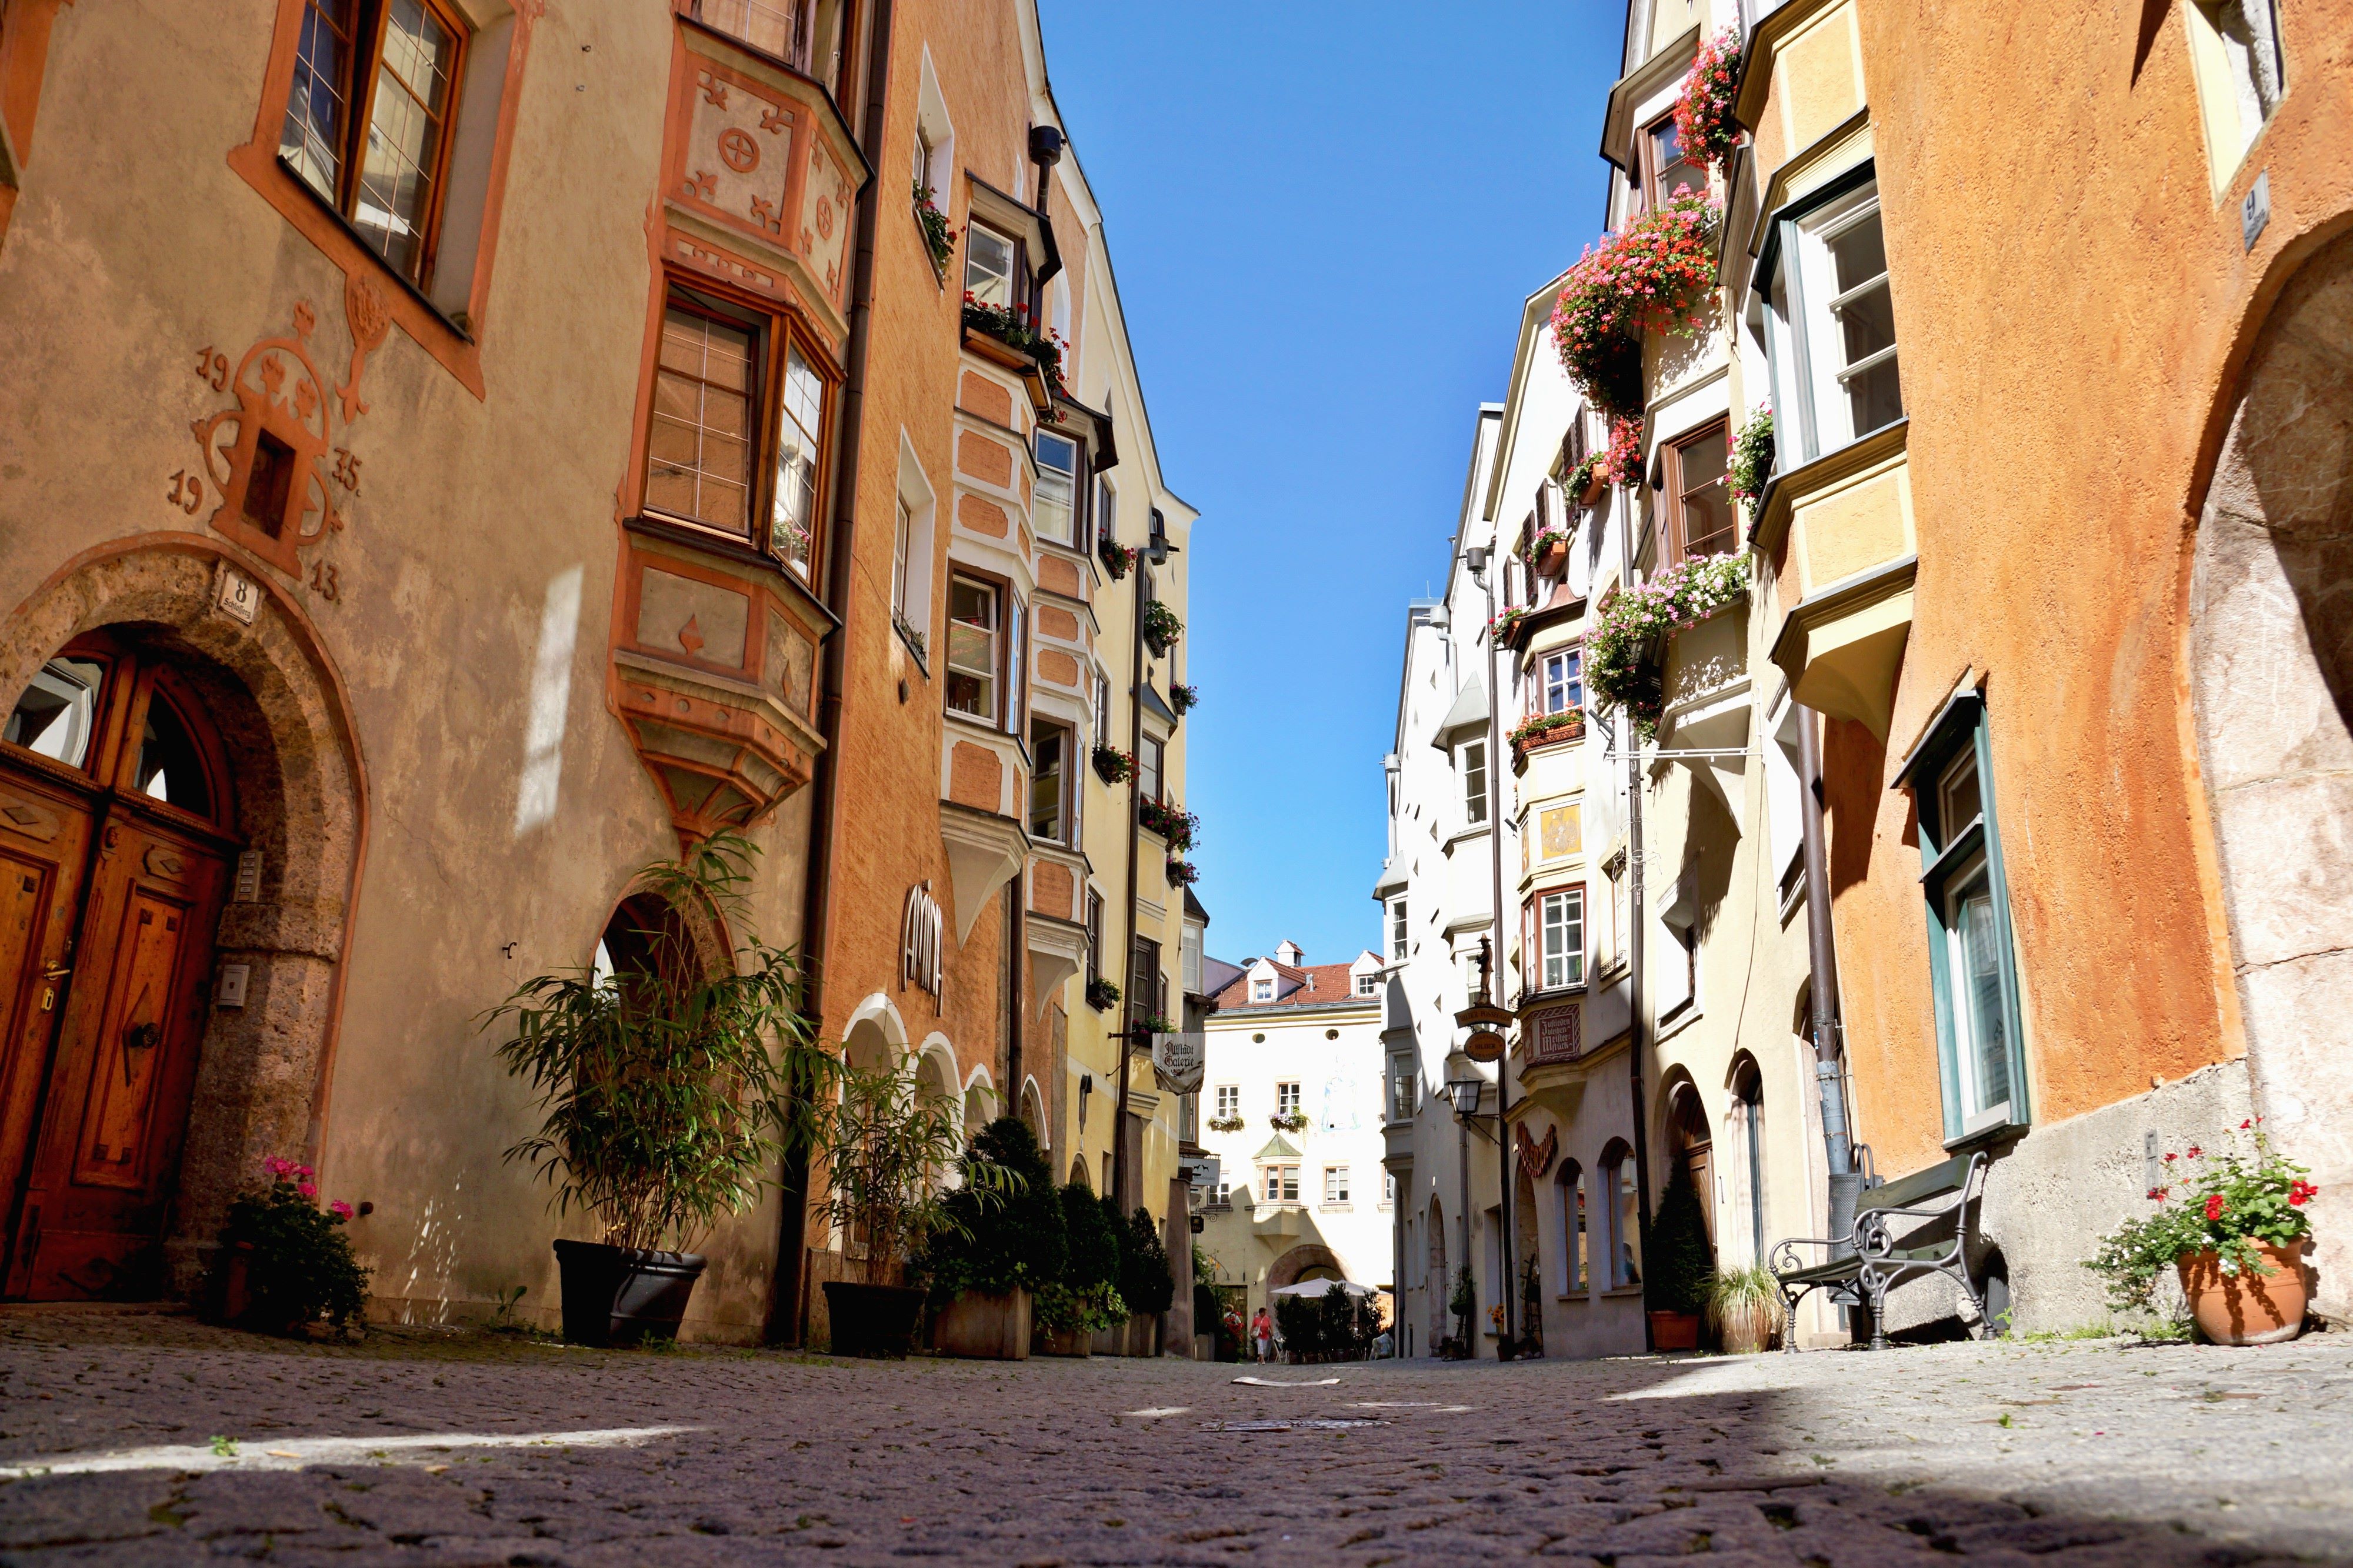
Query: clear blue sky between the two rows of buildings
(1324, 220)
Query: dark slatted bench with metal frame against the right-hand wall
(1874, 1261)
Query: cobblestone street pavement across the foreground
(476, 1449)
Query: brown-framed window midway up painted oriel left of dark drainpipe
(721, 397)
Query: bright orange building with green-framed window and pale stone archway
(2072, 611)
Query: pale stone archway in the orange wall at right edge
(2272, 693)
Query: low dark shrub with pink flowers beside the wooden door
(286, 1263)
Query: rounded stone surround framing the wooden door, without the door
(302, 811)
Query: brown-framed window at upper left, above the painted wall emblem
(368, 119)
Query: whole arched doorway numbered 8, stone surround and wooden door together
(222, 1004)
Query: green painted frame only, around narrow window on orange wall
(1964, 724)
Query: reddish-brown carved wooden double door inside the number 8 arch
(112, 983)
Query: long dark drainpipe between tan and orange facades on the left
(785, 1317)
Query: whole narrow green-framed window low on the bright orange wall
(1973, 957)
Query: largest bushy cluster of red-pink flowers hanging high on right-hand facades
(1653, 277)
